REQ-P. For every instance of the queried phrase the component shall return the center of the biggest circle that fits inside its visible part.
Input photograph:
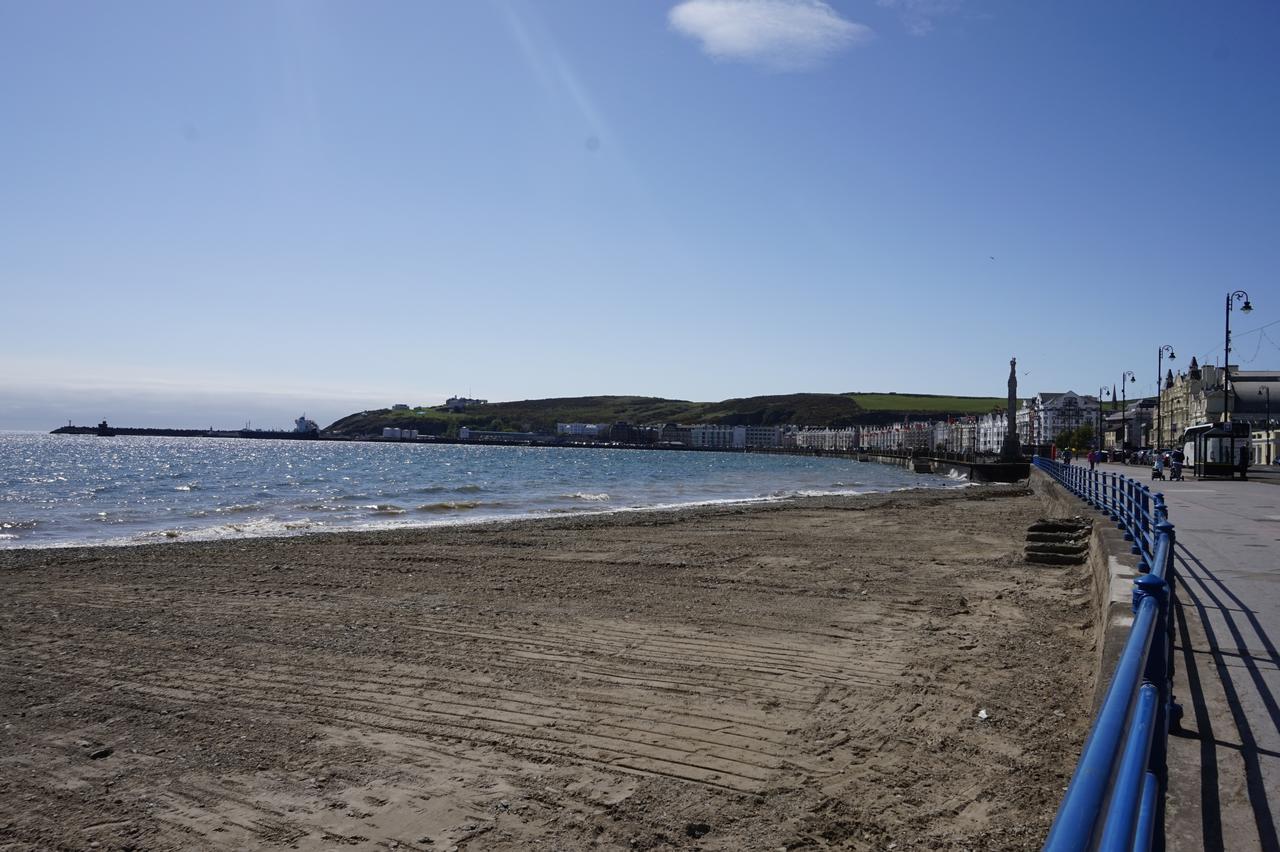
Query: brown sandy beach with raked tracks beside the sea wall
(824, 674)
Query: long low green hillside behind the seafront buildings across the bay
(542, 415)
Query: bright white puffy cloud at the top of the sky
(787, 35)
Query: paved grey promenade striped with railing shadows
(1226, 755)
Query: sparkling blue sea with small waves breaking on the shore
(65, 491)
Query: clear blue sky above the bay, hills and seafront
(212, 213)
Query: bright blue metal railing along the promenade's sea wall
(1117, 798)
